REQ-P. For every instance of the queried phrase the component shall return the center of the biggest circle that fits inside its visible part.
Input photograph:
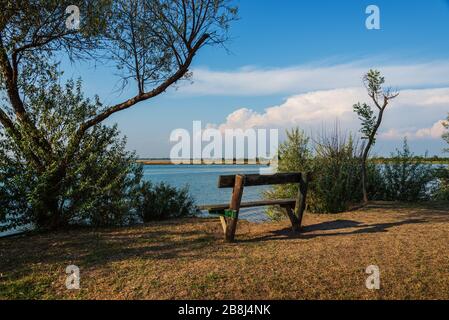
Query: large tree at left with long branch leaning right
(153, 43)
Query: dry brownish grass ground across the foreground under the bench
(187, 259)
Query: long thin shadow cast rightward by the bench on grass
(313, 231)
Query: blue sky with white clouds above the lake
(300, 63)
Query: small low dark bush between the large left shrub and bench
(161, 201)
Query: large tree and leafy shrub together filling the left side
(58, 164)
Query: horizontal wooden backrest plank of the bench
(228, 181)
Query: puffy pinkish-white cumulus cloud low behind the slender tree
(411, 114)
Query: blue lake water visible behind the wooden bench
(203, 180)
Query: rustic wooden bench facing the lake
(229, 213)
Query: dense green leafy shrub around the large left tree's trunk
(97, 185)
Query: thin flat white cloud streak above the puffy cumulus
(250, 81)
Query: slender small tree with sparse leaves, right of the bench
(371, 122)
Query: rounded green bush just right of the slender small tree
(406, 177)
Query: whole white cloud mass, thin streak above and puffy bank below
(320, 95)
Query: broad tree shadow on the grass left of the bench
(89, 249)
